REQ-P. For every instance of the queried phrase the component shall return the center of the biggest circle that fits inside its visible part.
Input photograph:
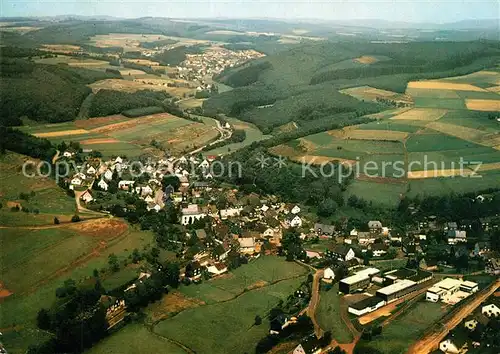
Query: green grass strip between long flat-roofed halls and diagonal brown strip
(400, 333)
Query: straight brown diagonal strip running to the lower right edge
(432, 340)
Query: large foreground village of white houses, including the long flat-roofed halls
(218, 222)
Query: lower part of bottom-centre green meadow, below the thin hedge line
(227, 327)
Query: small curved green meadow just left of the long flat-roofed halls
(328, 315)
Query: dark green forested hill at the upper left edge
(50, 93)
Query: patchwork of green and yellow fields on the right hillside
(440, 131)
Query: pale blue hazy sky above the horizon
(439, 11)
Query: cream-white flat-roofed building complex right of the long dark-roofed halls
(450, 290)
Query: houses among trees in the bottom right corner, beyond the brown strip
(462, 339)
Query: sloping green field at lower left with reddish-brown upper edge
(59, 250)
